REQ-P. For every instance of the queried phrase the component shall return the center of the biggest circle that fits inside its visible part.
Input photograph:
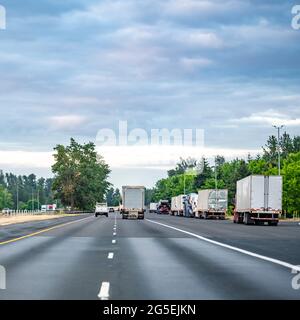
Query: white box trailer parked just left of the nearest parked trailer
(212, 203)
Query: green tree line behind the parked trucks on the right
(229, 172)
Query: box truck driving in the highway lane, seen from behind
(133, 202)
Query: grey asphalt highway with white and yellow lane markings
(162, 257)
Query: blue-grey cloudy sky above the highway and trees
(73, 67)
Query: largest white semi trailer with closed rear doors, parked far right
(258, 200)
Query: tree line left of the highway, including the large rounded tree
(80, 180)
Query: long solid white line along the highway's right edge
(249, 253)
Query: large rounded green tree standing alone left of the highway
(80, 175)
